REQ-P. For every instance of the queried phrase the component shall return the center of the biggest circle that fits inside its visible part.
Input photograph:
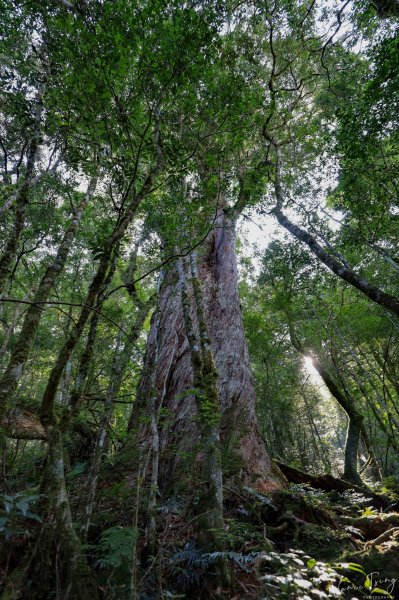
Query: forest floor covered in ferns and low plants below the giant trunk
(302, 543)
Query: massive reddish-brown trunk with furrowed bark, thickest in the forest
(179, 431)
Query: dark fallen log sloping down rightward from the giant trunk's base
(330, 484)
